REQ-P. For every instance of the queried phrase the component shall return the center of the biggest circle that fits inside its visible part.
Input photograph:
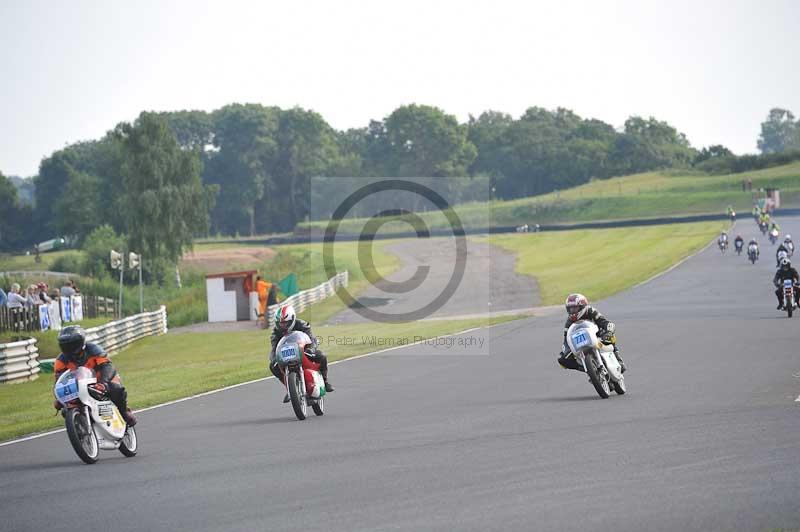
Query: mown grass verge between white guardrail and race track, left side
(160, 369)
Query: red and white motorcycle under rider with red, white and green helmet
(301, 375)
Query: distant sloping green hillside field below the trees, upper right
(647, 195)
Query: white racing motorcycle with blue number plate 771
(597, 358)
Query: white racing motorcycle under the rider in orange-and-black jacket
(93, 422)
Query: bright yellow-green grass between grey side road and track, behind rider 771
(599, 263)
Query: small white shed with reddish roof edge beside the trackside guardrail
(231, 296)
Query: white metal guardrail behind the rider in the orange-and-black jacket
(19, 361)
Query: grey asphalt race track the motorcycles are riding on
(708, 437)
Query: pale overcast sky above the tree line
(70, 71)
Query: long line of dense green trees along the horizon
(248, 168)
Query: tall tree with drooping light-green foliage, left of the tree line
(164, 203)
